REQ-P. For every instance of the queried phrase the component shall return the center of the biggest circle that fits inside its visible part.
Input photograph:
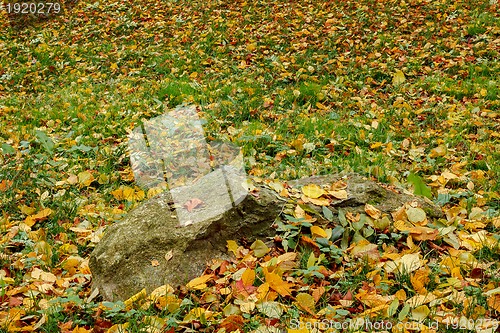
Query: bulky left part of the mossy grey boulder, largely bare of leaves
(134, 253)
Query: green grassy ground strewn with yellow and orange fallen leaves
(383, 88)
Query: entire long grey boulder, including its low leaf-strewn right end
(150, 247)
